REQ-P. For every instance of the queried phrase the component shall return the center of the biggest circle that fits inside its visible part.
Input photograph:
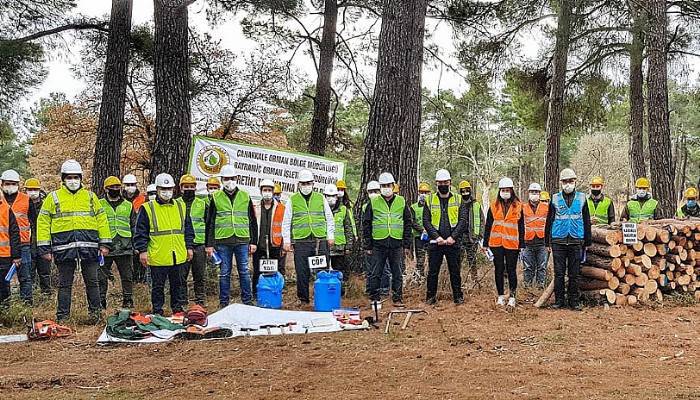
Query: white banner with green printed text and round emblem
(255, 163)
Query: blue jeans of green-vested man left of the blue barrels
(227, 252)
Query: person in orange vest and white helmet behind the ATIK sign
(270, 214)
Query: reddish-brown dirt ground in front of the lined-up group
(472, 351)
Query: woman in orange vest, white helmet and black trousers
(504, 236)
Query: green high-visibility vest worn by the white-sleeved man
(308, 218)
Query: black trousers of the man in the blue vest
(567, 261)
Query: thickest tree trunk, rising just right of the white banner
(393, 135)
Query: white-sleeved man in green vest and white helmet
(308, 229)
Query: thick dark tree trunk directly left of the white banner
(171, 71)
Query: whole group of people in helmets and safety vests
(163, 238)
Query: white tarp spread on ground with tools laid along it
(247, 321)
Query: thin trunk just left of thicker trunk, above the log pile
(636, 150)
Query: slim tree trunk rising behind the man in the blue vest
(555, 116)
